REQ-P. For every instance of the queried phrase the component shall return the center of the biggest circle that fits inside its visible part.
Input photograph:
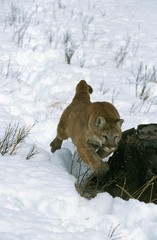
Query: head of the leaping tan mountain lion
(105, 130)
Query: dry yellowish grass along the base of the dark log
(90, 186)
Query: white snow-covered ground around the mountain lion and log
(114, 47)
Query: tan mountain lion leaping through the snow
(95, 128)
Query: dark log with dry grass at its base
(133, 168)
